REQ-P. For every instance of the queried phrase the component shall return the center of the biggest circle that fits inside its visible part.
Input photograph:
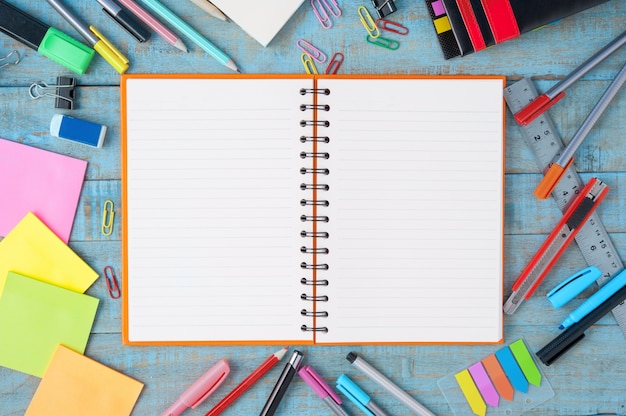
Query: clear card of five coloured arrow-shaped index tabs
(489, 386)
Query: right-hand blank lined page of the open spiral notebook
(416, 210)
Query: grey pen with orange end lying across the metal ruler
(558, 167)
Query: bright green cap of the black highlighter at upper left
(66, 51)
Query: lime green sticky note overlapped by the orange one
(35, 317)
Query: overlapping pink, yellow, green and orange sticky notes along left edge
(45, 316)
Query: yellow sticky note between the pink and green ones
(32, 249)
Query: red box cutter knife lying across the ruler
(555, 244)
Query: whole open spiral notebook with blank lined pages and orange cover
(259, 212)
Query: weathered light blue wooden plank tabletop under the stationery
(589, 379)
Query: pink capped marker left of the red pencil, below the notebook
(202, 388)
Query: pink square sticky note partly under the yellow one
(38, 181)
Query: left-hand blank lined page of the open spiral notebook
(212, 200)
